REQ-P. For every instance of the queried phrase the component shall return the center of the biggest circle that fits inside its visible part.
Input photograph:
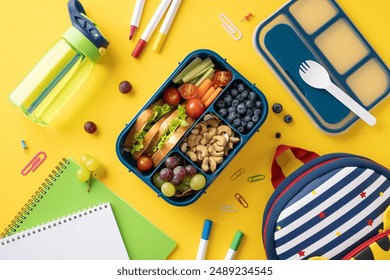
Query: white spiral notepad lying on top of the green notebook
(90, 234)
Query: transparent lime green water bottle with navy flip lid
(62, 70)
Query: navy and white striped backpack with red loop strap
(332, 207)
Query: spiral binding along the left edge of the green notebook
(35, 198)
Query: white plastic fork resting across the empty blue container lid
(316, 76)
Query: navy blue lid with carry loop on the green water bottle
(85, 25)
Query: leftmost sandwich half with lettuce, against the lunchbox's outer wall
(145, 128)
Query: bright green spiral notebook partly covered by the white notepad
(62, 193)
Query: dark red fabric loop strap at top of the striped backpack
(303, 155)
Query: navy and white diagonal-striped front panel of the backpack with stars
(333, 214)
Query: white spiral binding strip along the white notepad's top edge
(52, 224)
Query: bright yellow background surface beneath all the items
(29, 28)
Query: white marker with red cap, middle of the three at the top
(158, 14)
